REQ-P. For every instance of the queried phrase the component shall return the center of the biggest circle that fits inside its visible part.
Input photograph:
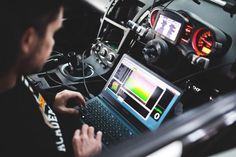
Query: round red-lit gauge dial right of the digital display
(203, 42)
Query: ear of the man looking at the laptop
(28, 41)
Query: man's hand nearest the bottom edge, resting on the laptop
(85, 143)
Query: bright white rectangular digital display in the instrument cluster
(168, 27)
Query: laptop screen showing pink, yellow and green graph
(145, 95)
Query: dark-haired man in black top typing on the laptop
(29, 127)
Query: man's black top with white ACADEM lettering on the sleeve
(24, 129)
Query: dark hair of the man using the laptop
(16, 17)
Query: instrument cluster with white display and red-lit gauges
(188, 32)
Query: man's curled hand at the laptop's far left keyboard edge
(62, 98)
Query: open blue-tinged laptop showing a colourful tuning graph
(134, 100)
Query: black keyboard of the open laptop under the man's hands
(98, 116)
